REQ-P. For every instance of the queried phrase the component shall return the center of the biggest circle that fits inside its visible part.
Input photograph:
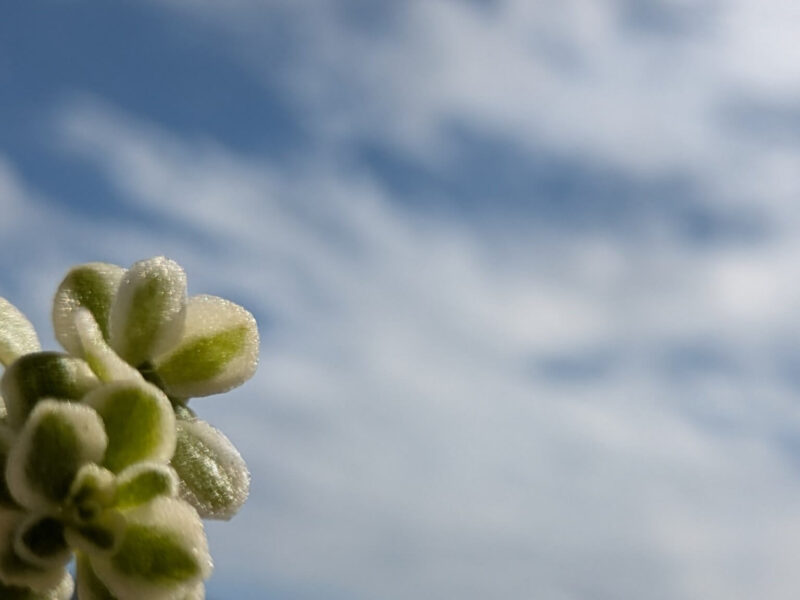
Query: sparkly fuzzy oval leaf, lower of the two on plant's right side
(213, 476)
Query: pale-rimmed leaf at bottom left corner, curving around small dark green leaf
(14, 571)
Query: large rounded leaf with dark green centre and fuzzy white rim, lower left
(57, 440)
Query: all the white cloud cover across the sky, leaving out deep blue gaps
(407, 432)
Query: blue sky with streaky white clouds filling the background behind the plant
(526, 274)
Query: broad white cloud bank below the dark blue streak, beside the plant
(402, 438)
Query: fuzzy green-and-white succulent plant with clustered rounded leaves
(102, 459)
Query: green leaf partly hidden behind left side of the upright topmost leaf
(91, 286)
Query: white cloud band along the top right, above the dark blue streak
(570, 74)
